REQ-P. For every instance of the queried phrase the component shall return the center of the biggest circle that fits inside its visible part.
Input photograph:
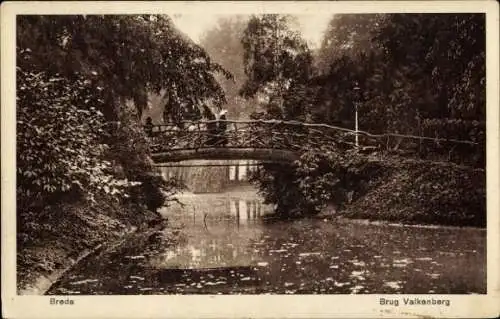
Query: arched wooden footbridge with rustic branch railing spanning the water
(261, 140)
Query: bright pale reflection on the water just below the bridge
(214, 226)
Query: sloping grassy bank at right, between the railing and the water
(419, 192)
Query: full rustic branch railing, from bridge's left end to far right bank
(289, 136)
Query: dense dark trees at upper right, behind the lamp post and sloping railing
(415, 71)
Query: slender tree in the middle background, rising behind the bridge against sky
(275, 58)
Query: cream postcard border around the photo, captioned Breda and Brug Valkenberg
(197, 306)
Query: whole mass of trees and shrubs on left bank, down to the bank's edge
(82, 156)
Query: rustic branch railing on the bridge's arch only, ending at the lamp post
(257, 134)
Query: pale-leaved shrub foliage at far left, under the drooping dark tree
(59, 140)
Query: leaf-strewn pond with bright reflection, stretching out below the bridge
(228, 246)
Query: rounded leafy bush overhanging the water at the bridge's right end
(320, 176)
